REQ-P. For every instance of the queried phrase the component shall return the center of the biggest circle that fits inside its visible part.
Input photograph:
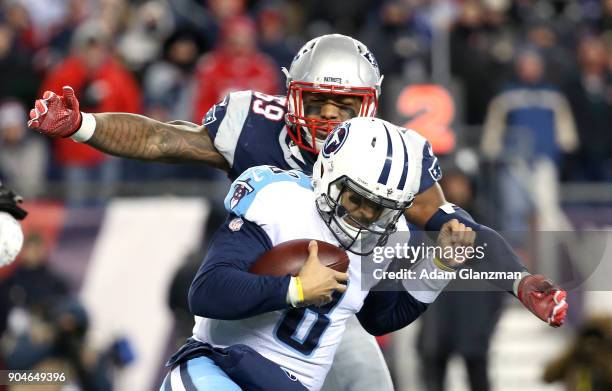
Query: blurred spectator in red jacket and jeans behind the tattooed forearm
(102, 84)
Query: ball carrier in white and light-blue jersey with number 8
(356, 197)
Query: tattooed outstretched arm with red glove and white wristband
(122, 134)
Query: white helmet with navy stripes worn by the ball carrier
(368, 156)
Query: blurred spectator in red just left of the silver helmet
(234, 65)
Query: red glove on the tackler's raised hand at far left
(56, 116)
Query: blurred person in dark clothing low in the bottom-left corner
(46, 326)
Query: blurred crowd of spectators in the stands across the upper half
(529, 75)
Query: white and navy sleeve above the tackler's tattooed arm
(225, 121)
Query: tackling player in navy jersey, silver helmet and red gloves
(331, 79)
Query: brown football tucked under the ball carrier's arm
(289, 257)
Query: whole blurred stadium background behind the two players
(515, 96)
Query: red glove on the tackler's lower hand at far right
(543, 299)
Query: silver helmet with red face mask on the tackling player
(331, 64)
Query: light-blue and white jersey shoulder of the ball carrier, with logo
(252, 196)
